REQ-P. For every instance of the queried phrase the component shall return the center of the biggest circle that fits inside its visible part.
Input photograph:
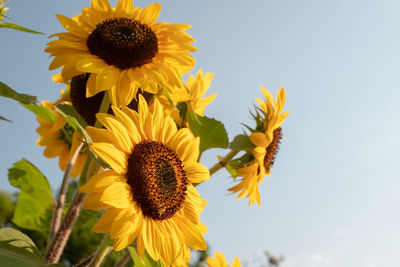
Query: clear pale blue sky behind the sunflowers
(333, 195)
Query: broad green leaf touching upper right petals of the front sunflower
(212, 133)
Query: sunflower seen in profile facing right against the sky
(266, 142)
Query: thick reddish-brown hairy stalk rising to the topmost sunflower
(91, 167)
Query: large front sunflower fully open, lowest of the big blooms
(148, 193)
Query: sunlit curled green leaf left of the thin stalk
(35, 202)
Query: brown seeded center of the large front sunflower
(157, 179)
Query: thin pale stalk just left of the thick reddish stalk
(55, 223)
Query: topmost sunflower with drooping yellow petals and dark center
(123, 49)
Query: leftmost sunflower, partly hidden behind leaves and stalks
(60, 140)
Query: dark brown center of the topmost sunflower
(123, 42)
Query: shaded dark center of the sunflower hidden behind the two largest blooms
(88, 107)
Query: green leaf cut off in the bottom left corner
(18, 250)
